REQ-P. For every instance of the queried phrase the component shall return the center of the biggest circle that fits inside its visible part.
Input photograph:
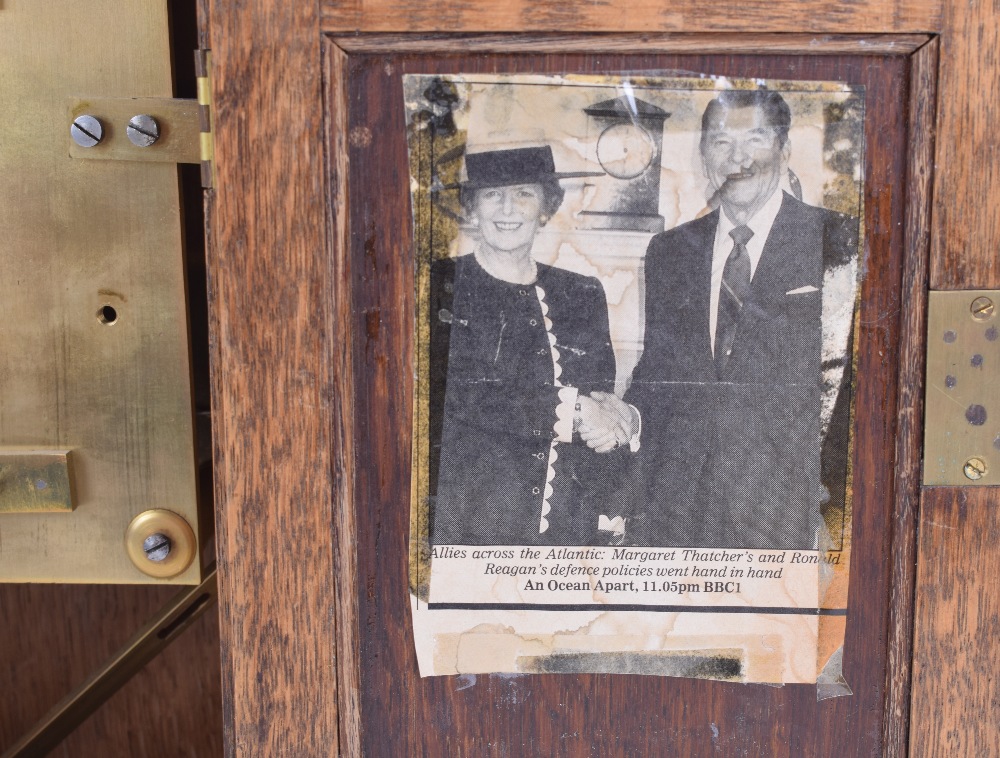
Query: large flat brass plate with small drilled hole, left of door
(94, 346)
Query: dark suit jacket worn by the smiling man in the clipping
(734, 460)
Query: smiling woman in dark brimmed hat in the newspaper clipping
(517, 347)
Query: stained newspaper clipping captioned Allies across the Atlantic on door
(634, 366)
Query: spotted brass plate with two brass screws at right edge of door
(962, 416)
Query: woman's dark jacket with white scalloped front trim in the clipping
(493, 405)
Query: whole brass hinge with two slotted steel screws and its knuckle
(156, 129)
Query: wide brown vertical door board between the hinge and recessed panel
(271, 317)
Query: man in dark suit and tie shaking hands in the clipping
(740, 401)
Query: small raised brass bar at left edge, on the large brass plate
(35, 481)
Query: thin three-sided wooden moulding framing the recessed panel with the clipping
(922, 52)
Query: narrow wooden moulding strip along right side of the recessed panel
(912, 349)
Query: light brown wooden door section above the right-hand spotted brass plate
(967, 192)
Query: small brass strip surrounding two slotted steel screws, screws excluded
(180, 129)
